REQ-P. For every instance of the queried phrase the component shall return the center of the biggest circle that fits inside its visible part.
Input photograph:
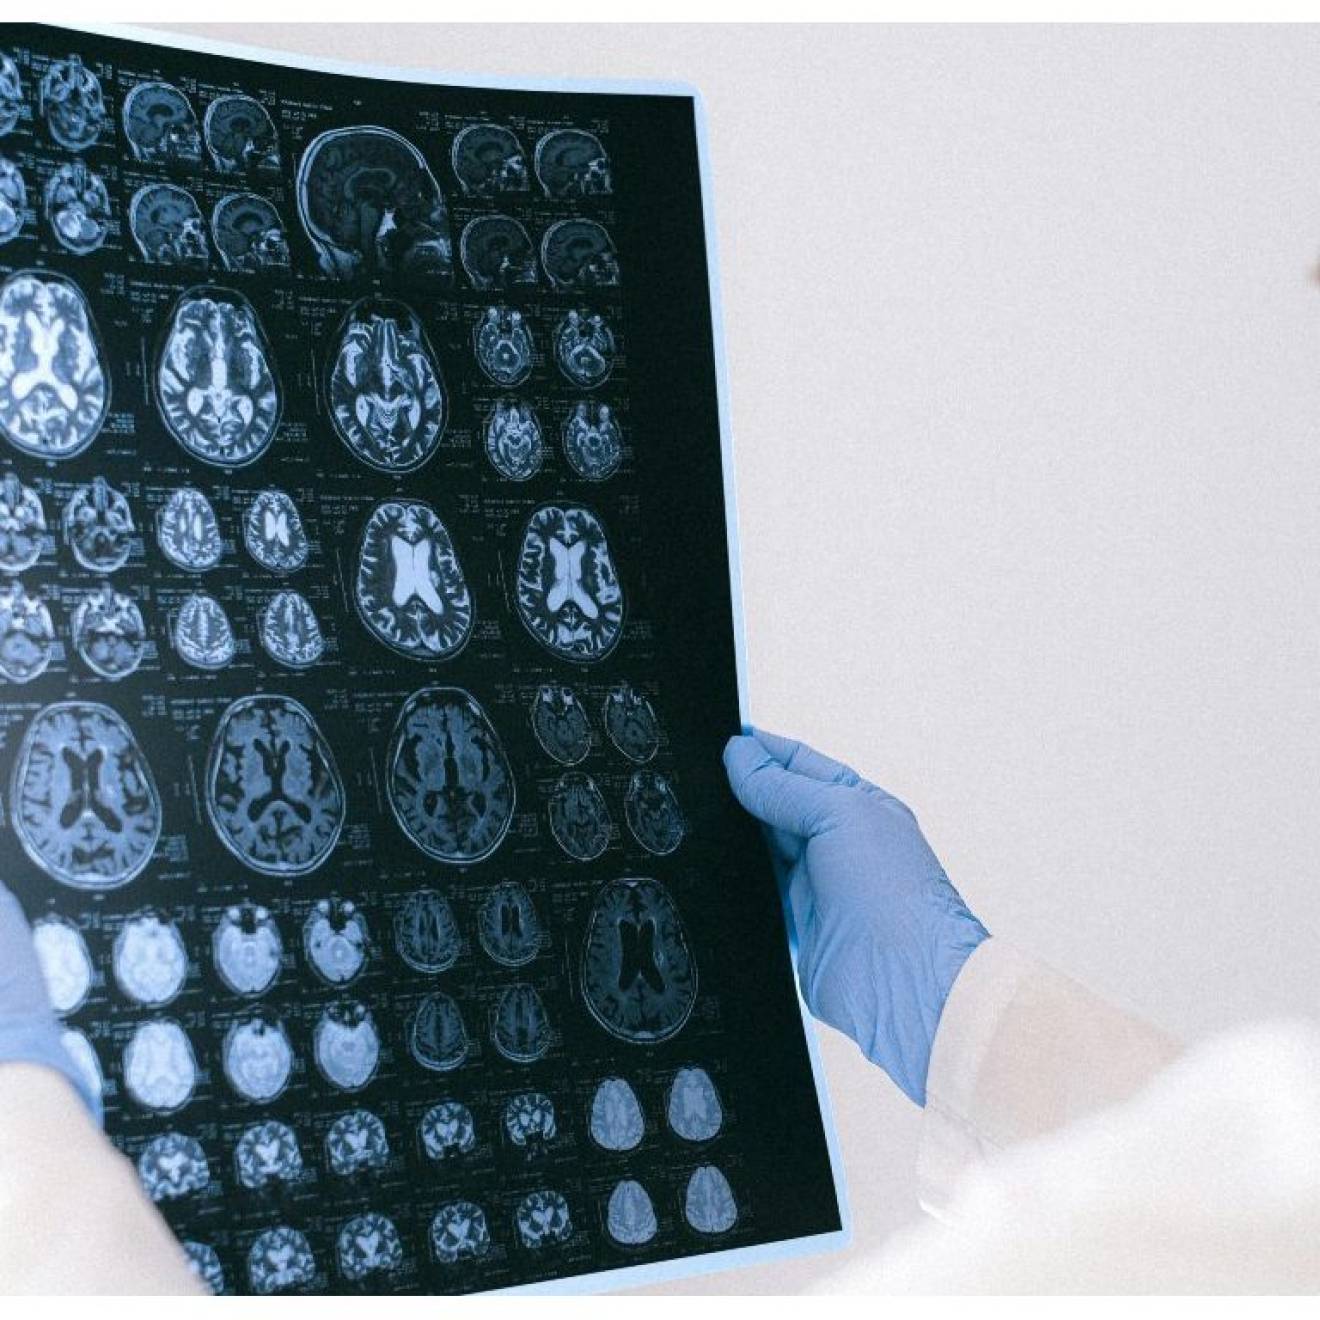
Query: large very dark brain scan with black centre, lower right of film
(640, 979)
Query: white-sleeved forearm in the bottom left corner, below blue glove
(73, 1216)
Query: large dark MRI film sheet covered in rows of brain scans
(368, 651)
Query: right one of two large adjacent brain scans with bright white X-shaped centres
(570, 595)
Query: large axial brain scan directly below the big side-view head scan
(385, 391)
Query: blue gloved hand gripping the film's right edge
(881, 931)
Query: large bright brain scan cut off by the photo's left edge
(55, 390)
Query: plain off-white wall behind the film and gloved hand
(1024, 332)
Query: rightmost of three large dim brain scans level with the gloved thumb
(449, 782)
